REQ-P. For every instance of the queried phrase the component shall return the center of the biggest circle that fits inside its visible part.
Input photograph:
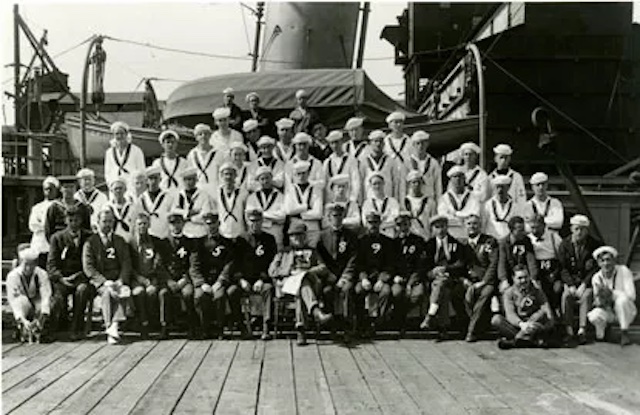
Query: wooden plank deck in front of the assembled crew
(277, 377)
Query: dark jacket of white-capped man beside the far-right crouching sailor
(576, 269)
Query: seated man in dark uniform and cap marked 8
(337, 249)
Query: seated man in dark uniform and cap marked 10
(411, 272)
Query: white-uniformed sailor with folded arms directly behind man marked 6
(270, 201)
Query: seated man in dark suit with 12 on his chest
(483, 269)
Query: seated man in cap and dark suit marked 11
(447, 269)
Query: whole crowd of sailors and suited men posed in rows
(357, 229)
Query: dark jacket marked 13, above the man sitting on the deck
(512, 253)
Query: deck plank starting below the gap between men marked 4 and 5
(164, 394)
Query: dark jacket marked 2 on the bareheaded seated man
(94, 257)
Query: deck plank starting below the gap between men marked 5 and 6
(203, 392)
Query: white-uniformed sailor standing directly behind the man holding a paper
(303, 202)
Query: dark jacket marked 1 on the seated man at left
(65, 257)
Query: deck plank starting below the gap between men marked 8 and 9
(386, 388)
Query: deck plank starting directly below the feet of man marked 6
(241, 389)
